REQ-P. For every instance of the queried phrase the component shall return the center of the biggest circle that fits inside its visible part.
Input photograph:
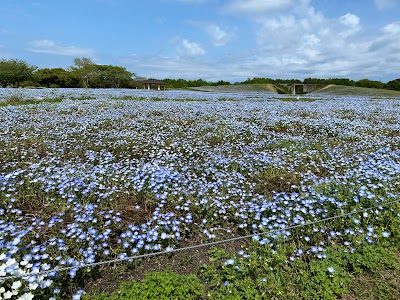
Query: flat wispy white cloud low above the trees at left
(51, 47)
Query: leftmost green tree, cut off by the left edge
(14, 71)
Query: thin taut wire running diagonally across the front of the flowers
(146, 255)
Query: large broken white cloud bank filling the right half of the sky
(297, 42)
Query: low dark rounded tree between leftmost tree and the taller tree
(56, 77)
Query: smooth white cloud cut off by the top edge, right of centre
(258, 6)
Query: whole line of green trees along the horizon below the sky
(85, 73)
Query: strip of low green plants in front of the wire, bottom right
(368, 272)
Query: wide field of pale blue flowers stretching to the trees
(105, 174)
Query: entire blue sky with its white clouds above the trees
(210, 39)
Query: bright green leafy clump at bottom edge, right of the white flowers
(159, 285)
